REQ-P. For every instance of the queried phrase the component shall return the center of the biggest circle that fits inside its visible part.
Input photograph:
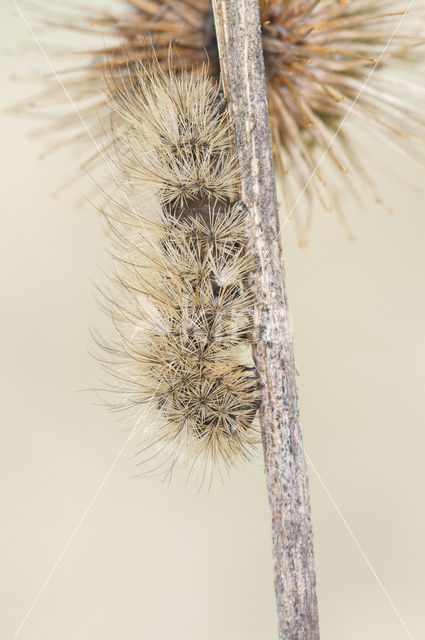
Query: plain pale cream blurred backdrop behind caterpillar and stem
(157, 562)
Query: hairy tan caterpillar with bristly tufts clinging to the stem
(181, 308)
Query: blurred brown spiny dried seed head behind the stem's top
(319, 55)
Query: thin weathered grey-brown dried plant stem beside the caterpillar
(242, 67)
